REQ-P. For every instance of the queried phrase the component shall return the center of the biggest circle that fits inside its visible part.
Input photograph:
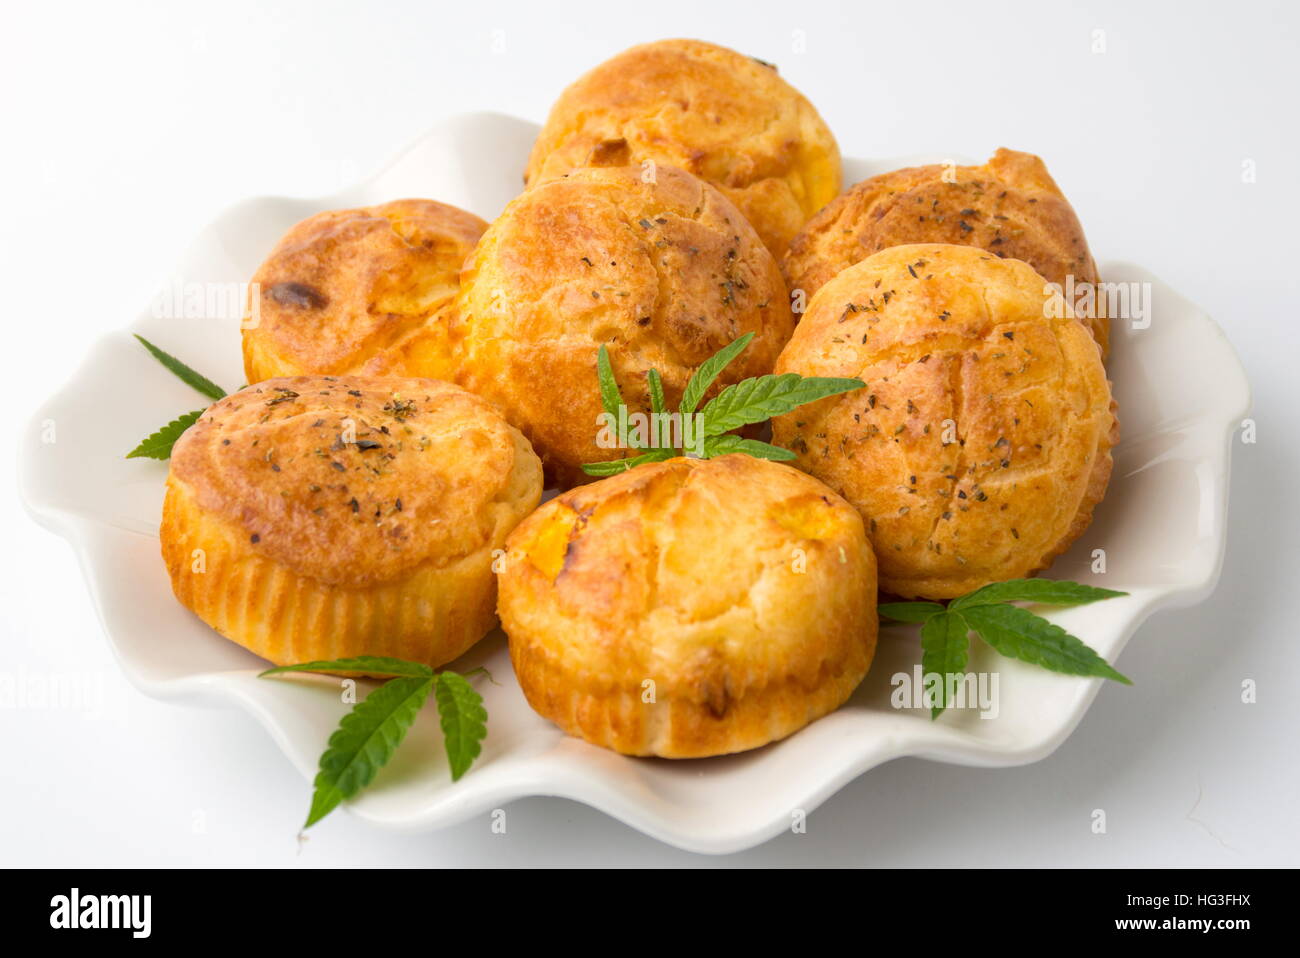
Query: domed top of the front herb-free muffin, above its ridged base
(686, 573)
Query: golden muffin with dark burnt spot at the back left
(361, 292)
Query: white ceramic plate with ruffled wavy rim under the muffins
(1181, 389)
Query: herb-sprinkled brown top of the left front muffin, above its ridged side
(353, 482)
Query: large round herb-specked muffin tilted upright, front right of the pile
(982, 441)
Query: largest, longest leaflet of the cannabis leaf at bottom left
(365, 742)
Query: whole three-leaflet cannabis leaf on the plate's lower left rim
(370, 735)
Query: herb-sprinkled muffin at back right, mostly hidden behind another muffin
(1011, 207)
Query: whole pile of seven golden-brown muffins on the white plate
(421, 376)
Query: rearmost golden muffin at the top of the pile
(723, 116)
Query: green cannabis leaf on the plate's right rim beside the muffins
(1012, 631)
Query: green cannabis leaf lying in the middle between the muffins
(748, 402)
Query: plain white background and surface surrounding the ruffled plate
(125, 128)
